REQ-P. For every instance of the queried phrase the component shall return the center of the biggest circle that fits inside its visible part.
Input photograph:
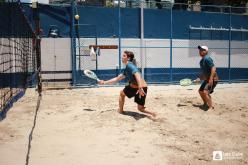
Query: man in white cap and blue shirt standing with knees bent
(209, 77)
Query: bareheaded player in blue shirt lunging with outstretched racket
(137, 86)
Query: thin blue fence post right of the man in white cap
(229, 45)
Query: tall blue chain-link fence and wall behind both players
(167, 47)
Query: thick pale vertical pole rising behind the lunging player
(142, 58)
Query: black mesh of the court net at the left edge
(17, 53)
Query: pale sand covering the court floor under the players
(82, 127)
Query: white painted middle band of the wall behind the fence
(56, 54)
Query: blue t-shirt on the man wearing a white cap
(206, 64)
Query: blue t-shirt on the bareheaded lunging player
(129, 71)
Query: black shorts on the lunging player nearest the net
(131, 92)
